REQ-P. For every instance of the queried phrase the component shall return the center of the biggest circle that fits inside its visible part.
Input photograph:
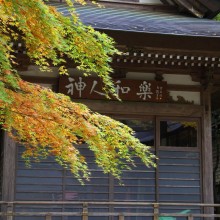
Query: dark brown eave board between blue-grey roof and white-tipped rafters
(188, 43)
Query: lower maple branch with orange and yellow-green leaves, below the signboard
(47, 123)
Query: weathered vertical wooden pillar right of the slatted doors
(207, 166)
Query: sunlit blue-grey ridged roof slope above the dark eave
(143, 21)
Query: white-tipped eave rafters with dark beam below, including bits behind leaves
(145, 59)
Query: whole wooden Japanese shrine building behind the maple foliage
(166, 77)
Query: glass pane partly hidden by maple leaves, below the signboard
(144, 130)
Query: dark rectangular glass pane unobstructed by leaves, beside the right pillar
(178, 133)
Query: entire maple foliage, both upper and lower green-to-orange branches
(47, 123)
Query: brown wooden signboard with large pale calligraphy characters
(127, 89)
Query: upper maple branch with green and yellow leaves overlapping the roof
(51, 38)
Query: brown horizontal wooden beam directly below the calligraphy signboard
(143, 109)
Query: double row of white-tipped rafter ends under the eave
(162, 58)
